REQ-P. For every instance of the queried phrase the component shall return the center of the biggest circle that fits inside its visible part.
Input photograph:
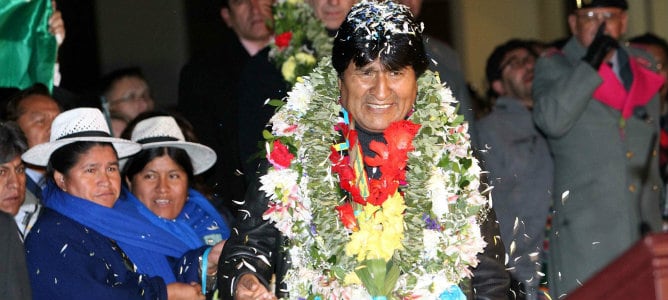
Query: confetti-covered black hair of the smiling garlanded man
(384, 30)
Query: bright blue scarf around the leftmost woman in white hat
(146, 244)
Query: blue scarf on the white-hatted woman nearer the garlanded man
(198, 224)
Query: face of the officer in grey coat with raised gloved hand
(585, 22)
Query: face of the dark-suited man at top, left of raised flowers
(248, 18)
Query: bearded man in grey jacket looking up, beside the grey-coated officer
(519, 163)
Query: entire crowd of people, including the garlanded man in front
(357, 174)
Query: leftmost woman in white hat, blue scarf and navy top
(82, 246)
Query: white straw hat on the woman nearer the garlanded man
(163, 131)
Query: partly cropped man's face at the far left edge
(12, 186)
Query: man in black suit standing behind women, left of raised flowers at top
(208, 91)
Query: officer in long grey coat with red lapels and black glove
(598, 104)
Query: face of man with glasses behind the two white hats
(129, 97)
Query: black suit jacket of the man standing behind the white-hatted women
(207, 98)
